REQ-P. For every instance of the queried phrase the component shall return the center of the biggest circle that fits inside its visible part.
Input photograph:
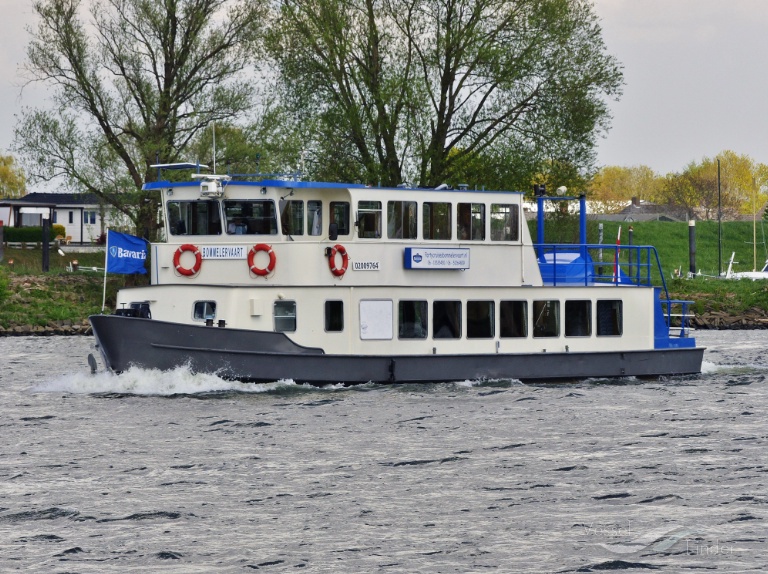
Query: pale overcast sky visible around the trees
(696, 74)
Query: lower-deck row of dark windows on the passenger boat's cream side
(413, 318)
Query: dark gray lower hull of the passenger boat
(257, 356)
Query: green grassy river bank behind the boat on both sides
(31, 297)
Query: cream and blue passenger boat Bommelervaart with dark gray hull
(328, 283)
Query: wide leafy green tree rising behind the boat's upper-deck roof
(421, 89)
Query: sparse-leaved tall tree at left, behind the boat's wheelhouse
(131, 87)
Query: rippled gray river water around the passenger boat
(168, 471)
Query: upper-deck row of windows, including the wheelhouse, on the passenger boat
(297, 217)
